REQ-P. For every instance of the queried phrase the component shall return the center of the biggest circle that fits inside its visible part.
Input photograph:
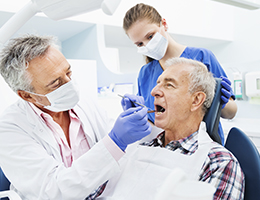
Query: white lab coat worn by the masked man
(30, 156)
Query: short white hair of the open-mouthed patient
(200, 79)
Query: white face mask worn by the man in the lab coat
(63, 98)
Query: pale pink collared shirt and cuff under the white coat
(78, 141)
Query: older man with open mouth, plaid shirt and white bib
(183, 94)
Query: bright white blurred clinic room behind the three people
(107, 63)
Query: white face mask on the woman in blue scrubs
(155, 48)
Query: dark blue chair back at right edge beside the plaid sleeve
(249, 159)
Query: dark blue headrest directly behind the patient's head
(213, 114)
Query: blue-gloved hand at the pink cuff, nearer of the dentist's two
(130, 126)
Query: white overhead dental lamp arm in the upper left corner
(56, 10)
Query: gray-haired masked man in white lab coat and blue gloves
(54, 145)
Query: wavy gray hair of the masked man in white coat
(16, 55)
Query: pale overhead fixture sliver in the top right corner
(247, 4)
